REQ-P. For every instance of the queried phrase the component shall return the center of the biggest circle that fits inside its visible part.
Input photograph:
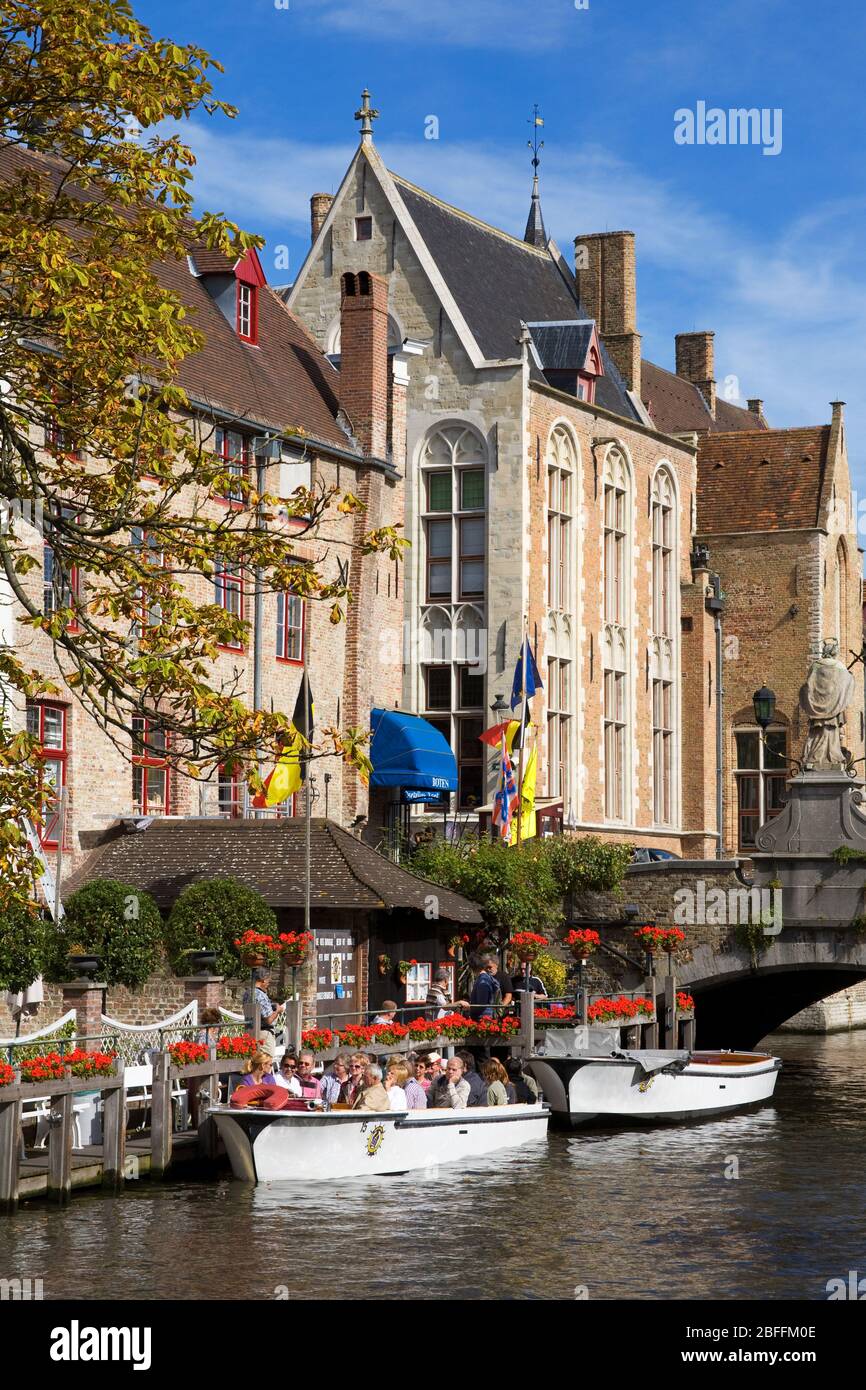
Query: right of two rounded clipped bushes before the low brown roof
(211, 917)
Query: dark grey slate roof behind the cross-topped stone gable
(498, 283)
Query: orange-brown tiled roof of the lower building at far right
(762, 480)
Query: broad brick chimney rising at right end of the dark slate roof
(605, 275)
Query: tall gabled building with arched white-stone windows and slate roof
(553, 479)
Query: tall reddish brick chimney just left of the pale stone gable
(363, 368)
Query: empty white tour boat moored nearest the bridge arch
(637, 1086)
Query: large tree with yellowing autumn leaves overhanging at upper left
(97, 433)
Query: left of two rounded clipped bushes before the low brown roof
(115, 921)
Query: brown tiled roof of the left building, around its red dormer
(284, 382)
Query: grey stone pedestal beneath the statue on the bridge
(826, 811)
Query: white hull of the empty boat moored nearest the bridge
(618, 1090)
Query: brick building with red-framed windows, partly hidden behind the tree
(263, 397)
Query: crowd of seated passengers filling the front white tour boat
(407, 1082)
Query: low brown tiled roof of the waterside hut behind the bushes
(268, 856)
